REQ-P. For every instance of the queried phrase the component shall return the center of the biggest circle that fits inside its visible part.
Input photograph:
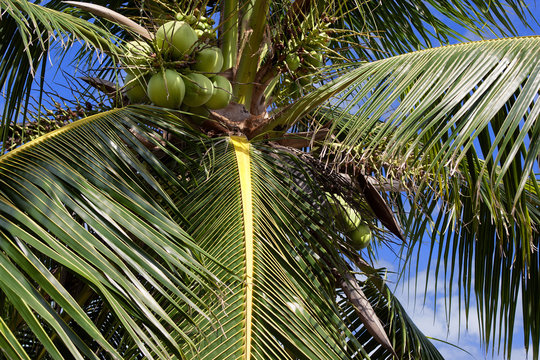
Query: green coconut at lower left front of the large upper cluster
(166, 89)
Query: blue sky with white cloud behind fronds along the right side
(430, 316)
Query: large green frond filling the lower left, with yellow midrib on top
(85, 225)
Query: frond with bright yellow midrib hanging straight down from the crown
(278, 302)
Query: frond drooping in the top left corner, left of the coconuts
(29, 33)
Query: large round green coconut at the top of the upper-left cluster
(176, 38)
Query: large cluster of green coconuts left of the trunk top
(179, 68)
